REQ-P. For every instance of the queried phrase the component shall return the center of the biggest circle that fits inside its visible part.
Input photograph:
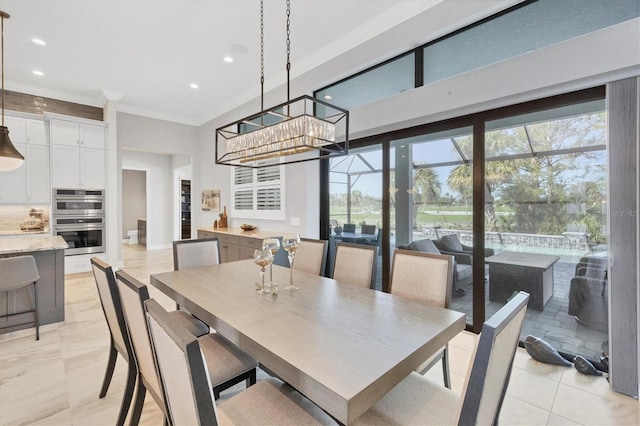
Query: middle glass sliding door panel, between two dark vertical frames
(431, 192)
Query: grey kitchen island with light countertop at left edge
(48, 252)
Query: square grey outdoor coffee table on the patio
(533, 273)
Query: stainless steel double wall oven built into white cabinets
(78, 216)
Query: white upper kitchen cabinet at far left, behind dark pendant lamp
(30, 182)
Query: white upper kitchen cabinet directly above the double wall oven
(78, 154)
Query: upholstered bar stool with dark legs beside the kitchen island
(17, 273)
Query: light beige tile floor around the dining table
(56, 381)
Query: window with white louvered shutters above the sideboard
(258, 193)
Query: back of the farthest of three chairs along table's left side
(111, 305)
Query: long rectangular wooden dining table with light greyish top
(341, 346)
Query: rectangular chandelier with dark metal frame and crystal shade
(302, 129)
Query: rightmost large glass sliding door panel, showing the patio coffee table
(545, 219)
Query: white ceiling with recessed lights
(145, 53)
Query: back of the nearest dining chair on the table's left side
(185, 378)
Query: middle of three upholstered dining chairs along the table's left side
(235, 365)
